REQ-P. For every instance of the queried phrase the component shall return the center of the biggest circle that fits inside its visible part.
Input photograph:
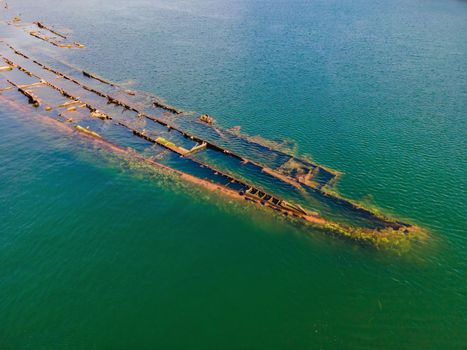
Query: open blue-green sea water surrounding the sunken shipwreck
(96, 254)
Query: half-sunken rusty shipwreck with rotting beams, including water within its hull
(190, 146)
